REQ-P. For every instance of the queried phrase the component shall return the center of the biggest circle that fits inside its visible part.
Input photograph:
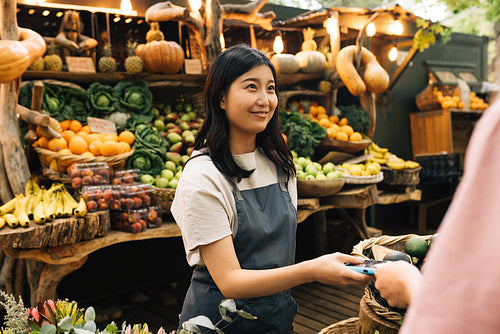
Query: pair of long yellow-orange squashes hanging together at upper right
(375, 78)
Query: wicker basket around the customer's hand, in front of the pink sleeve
(371, 298)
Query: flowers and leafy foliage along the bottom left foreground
(65, 317)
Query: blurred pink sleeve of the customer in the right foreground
(460, 291)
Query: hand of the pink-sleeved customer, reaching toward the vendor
(397, 282)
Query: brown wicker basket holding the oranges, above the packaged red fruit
(64, 161)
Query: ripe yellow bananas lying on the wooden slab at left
(41, 205)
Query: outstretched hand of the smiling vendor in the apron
(331, 269)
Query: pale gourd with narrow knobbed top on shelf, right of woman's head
(310, 60)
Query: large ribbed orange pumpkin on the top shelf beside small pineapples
(161, 56)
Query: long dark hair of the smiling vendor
(214, 133)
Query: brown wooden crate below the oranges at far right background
(431, 132)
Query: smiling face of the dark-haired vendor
(250, 103)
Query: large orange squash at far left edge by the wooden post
(17, 56)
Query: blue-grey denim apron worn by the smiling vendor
(265, 238)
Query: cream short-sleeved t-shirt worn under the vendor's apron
(204, 206)
